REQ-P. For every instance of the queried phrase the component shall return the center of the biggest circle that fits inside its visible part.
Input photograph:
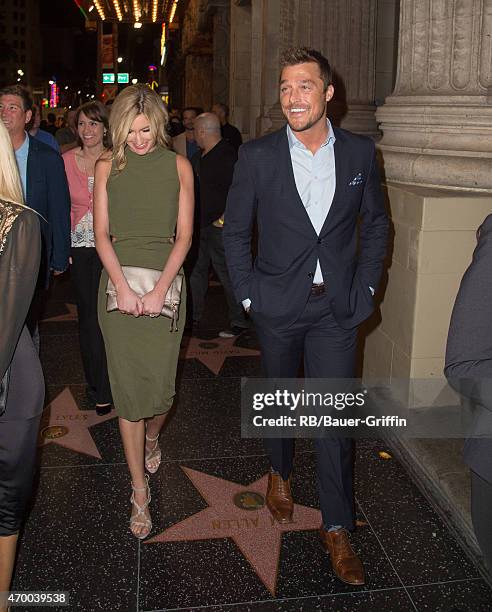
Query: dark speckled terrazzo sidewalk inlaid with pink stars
(212, 546)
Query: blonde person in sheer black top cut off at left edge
(21, 378)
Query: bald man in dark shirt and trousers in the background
(213, 167)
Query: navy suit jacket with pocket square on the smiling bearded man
(351, 246)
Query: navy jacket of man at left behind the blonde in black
(48, 194)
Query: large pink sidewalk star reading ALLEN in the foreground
(255, 532)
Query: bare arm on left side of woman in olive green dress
(127, 300)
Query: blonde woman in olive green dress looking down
(143, 216)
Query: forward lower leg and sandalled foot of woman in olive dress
(133, 436)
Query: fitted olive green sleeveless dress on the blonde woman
(142, 353)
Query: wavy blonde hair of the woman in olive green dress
(136, 100)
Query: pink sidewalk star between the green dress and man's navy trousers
(213, 353)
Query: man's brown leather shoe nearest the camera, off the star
(346, 564)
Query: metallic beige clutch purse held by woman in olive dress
(143, 280)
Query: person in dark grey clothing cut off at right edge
(468, 369)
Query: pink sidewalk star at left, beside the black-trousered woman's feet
(64, 424)
